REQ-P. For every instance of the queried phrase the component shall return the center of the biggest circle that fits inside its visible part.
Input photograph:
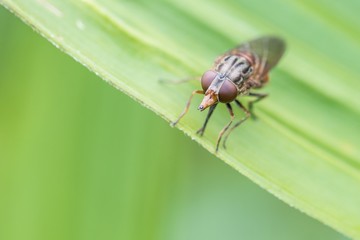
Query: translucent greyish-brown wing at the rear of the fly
(265, 53)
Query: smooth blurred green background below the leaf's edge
(80, 160)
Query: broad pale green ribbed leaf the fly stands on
(305, 147)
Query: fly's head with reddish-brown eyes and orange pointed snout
(217, 88)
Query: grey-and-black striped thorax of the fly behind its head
(235, 68)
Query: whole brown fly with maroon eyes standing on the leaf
(236, 73)
